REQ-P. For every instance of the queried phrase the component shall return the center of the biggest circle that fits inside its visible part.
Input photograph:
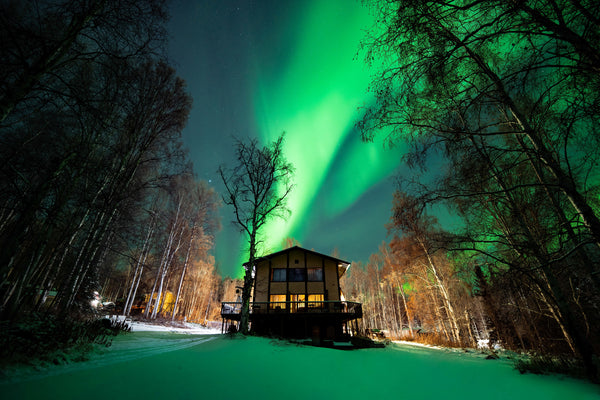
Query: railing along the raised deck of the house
(336, 307)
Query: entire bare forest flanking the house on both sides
(497, 101)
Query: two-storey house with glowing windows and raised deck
(297, 294)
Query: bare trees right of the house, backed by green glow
(504, 97)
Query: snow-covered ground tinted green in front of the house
(152, 363)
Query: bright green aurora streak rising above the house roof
(316, 98)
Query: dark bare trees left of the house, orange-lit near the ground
(98, 198)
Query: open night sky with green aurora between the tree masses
(258, 68)
